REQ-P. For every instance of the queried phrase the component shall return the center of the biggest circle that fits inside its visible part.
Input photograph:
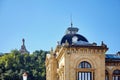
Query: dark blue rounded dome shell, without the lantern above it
(73, 38)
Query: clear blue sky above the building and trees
(43, 22)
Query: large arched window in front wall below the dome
(84, 72)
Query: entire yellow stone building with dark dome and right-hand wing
(76, 59)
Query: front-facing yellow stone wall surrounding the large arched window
(95, 57)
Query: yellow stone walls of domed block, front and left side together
(63, 64)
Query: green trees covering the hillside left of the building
(13, 64)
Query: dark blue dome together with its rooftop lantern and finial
(73, 38)
